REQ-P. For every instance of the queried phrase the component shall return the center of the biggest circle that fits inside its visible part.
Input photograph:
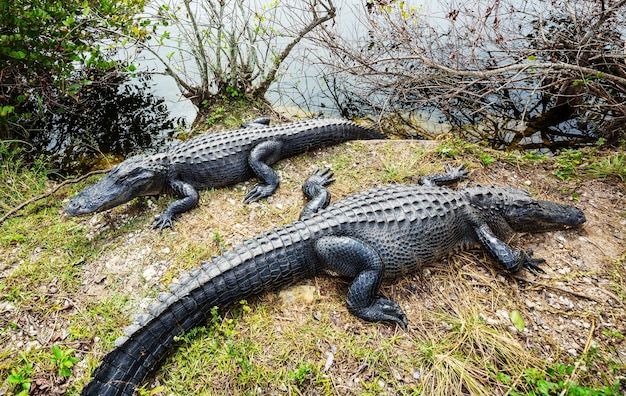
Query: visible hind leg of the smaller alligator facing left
(261, 157)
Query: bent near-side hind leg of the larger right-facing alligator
(351, 257)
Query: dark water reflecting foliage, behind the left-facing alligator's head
(124, 117)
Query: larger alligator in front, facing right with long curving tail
(380, 233)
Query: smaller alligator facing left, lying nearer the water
(214, 160)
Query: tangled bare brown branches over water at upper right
(524, 75)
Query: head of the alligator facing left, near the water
(132, 178)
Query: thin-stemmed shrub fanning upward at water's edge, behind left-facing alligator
(231, 48)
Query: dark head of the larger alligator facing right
(523, 213)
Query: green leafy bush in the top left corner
(51, 50)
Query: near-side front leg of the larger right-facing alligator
(512, 259)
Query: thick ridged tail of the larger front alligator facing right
(269, 262)
